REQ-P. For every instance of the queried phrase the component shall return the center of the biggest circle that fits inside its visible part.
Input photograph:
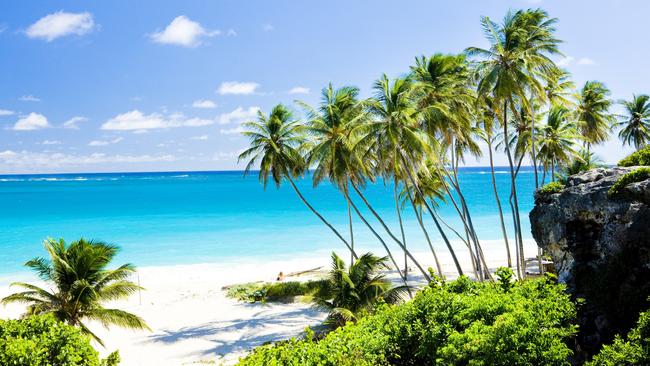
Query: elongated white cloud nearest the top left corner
(60, 24)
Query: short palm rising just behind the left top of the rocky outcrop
(558, 139)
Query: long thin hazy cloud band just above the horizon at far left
(36, 160)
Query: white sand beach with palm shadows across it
(193, 322)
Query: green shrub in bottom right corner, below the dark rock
(633, 351)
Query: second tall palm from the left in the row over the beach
(331, 150)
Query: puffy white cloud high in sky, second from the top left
(183, 32)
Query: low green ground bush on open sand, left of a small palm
(280, 291)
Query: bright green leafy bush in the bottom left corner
(42, 340)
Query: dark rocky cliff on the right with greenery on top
(601, 249)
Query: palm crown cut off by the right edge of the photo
(636, 123)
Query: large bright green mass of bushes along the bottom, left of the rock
(460, 322)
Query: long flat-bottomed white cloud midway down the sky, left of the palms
(136, 120)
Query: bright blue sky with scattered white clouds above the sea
(115, 86)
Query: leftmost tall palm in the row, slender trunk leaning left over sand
(275, 142)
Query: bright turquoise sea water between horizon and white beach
(198, 217)
